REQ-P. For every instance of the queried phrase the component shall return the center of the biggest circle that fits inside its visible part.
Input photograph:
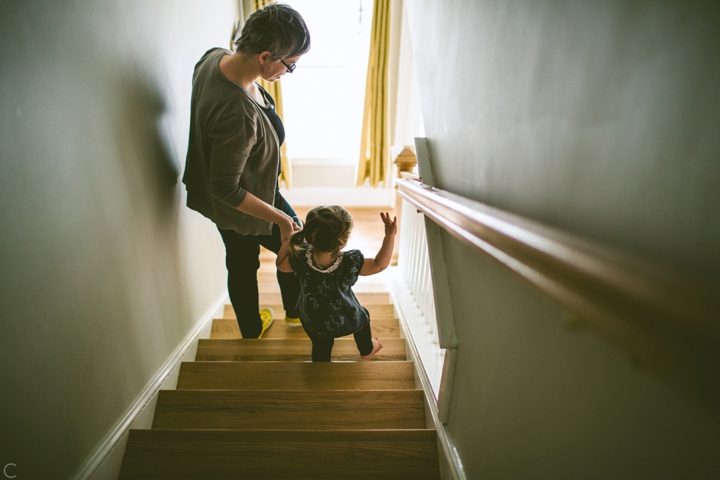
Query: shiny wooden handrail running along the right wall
(667, 322)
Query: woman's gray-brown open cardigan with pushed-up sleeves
(233, 149)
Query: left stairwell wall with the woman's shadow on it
(103, 270)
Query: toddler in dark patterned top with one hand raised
(327, 305)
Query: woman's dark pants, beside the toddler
(242, 258)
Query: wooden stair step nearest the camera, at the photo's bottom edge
(264, 454)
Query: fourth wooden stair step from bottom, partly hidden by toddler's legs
(290, 350)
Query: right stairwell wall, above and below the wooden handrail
(603, 119)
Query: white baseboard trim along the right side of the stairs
(447, 447)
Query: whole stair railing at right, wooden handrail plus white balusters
(667, 322)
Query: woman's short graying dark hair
(278, 29)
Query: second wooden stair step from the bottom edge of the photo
(295, 410)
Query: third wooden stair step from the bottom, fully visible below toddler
(296, 376)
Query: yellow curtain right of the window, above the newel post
(374, 161)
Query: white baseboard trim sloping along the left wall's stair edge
(120, 430)
